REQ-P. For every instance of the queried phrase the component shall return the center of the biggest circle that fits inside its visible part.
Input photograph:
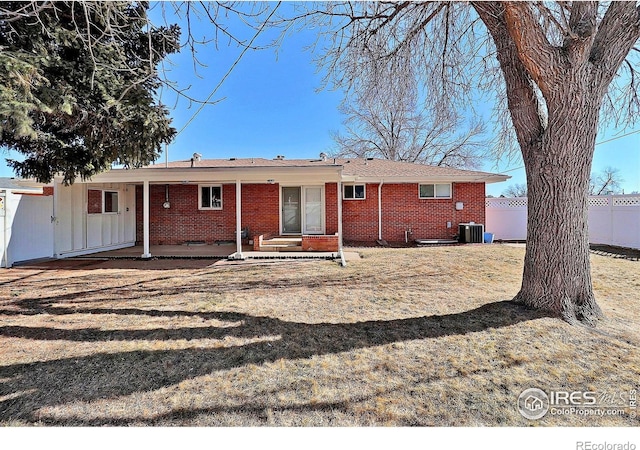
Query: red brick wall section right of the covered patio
(402, 209)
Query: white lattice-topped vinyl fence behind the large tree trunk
(613, 219)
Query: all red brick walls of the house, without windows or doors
(260, 212)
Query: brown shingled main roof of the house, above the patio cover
(353, 169)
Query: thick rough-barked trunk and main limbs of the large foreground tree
(557, 147)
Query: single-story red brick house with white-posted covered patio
(317, 203)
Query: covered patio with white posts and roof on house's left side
(201, 209)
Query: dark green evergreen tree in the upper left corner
(78, 84)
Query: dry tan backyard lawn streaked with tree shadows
(423, 336)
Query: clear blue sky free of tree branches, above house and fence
(271, 106)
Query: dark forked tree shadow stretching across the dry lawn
(28, 387)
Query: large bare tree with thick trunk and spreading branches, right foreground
(554, 69)
